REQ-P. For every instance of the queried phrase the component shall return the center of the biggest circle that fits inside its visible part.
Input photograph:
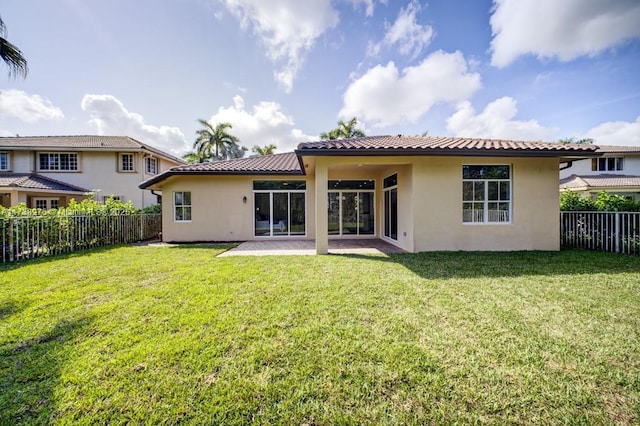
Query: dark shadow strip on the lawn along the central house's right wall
(448, 265)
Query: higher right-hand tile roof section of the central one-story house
(431, 145)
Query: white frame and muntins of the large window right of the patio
(487, 218)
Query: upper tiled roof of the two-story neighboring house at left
(82, 143)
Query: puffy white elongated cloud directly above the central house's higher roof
(384, 96)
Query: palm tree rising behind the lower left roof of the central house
(215, 143)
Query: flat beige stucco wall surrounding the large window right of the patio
(438, 207)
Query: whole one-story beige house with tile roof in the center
(418, 193)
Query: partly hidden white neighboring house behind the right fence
(617, 171)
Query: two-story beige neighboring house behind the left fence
(48, 171)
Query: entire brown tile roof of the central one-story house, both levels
(290, 163)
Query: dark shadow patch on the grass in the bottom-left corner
(30, 371)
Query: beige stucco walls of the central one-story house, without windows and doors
(429, 203)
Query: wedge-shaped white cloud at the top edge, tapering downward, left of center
(287, 28)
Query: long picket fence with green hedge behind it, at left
(34, 236)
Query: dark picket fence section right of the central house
(617, 232)
